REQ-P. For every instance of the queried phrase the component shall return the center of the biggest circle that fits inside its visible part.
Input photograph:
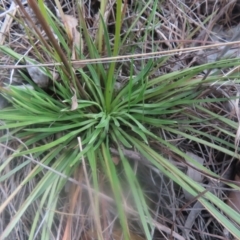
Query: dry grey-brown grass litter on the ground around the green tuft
(178, 24)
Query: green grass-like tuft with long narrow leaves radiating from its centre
(70, 128)
